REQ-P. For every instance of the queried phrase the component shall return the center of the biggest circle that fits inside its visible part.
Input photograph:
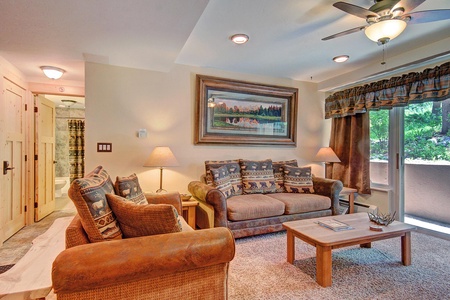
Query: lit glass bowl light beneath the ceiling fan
(385, 30)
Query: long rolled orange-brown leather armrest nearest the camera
(109, 263)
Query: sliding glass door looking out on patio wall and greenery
(410, 157)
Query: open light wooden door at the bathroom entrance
(45, 157)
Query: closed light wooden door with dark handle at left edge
(12, 159)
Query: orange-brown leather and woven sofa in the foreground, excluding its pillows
(187, 264)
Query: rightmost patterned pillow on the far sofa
(298, 180)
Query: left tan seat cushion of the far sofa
(247, 207)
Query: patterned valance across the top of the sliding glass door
(430, 85)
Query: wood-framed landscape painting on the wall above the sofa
(237, 112)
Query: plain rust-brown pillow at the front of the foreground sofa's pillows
(143, 220)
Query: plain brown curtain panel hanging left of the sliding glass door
(350, 140)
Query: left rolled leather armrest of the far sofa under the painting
(212, 196)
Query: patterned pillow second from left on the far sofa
(257, 176)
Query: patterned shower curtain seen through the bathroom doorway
(76, 149)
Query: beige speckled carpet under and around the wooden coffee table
(260, 270)
